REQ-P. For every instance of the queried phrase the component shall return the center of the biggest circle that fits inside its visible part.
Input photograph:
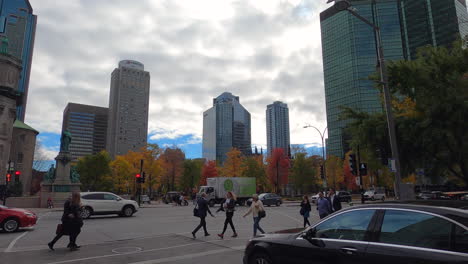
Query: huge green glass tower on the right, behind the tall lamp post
(349, 50)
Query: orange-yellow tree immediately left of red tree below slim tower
(254, 167)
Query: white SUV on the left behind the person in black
(102, 203)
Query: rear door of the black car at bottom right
(417, 237)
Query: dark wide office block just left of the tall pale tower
(88, 127)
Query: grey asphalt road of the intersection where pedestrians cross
(157, 234)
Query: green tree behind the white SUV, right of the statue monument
(95, 172)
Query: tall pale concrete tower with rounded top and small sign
(128, 108)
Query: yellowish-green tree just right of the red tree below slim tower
(303, 173)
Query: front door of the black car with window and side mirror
(342, 238)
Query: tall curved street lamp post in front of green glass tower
(345, 5)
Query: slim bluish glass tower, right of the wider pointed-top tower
(277, 115)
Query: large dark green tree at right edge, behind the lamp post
(430, 106)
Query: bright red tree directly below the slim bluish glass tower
(278, 168)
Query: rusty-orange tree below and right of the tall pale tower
(173, 160)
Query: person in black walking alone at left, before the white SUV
(71, 222)
